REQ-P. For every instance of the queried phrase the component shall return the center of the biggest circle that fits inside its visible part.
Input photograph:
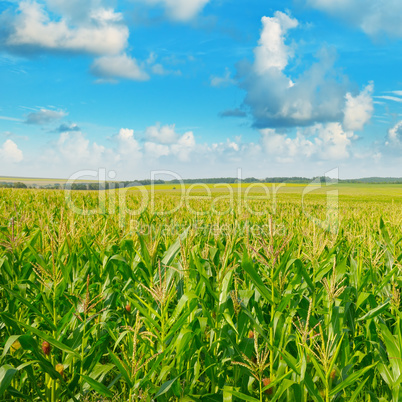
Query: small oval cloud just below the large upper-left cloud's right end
(120, 66)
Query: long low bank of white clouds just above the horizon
(305, 148)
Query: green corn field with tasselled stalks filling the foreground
(215, 301)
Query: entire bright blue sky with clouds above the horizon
(201, 87)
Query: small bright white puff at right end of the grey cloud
(358, 110)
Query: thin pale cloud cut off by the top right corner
(372, 17)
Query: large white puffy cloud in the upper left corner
(33, 29)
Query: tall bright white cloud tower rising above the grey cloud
(272, 51)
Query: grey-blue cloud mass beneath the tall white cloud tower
(276, 101)
